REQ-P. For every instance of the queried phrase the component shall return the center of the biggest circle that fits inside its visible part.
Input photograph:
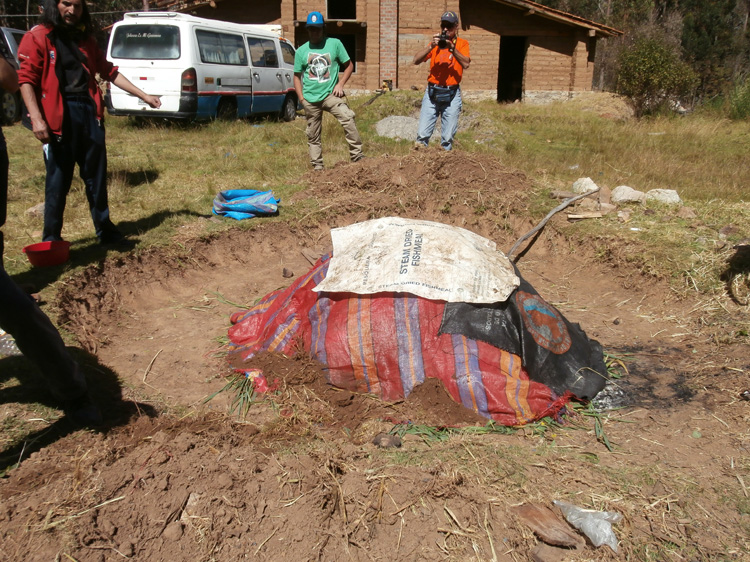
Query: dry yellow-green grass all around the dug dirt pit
(163, 176)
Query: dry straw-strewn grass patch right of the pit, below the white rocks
(693, 255)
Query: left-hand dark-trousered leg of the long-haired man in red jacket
(60, 162)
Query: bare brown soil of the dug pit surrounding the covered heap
(173, 478)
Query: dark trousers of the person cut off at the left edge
(35, 335)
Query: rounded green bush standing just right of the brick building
(652, 74)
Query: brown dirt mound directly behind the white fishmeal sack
(457, 188)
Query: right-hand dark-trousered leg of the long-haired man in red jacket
(91, 155)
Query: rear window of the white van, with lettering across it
(146, 42)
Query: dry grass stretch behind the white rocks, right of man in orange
(700, 157)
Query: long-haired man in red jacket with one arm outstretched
(59, 61)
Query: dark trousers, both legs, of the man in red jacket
(82, 142)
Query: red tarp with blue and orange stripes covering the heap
(386, 344)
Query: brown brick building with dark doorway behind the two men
(519, 49)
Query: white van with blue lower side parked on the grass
(201, 68)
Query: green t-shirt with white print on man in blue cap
(320, 67)
